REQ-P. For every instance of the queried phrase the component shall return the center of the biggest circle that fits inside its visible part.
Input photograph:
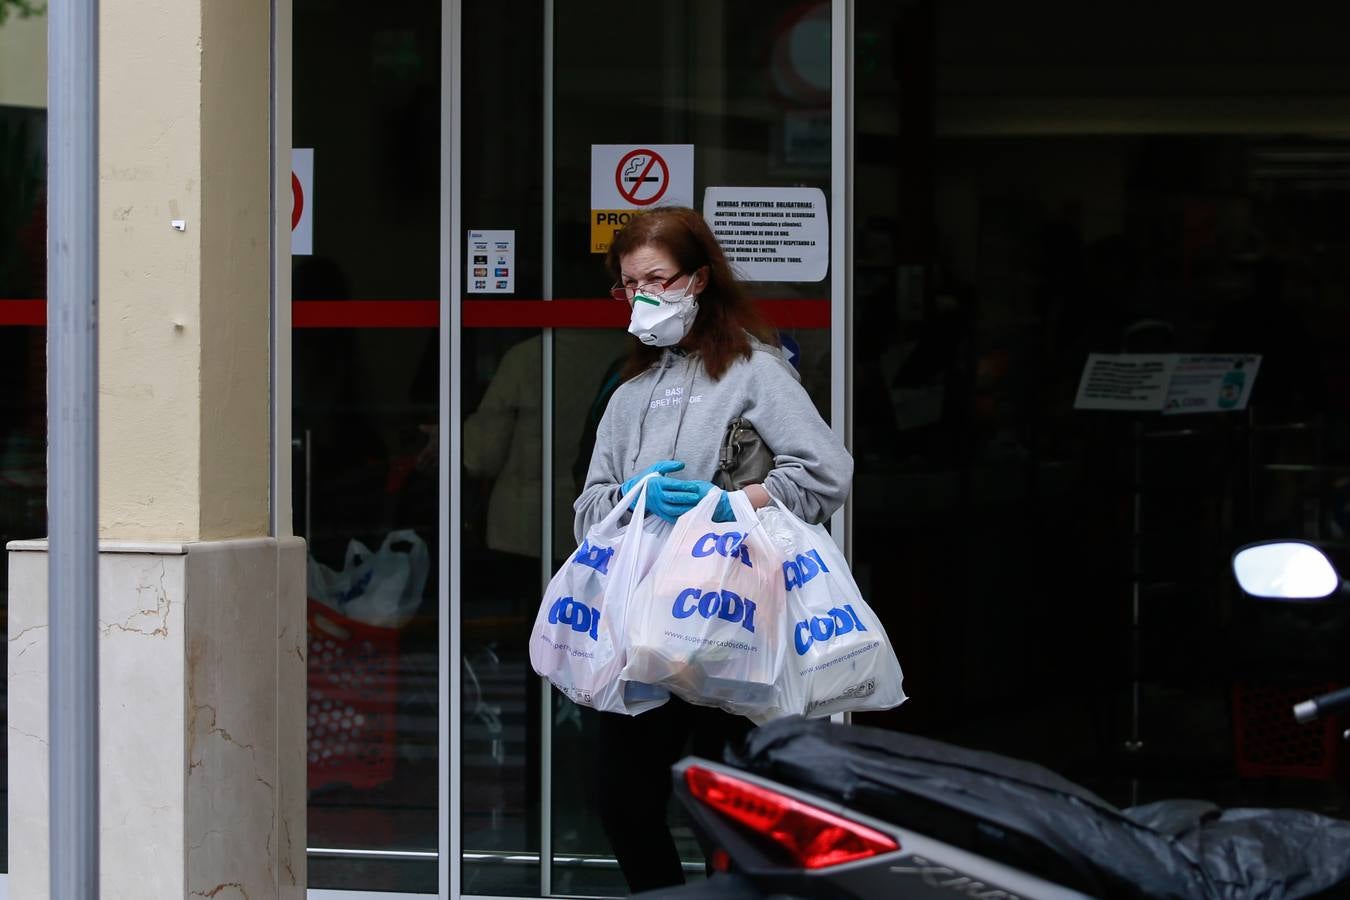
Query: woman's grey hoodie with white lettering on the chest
(674, 411)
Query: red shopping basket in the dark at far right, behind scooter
(1272, 744)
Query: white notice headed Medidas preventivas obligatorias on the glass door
(772, 234)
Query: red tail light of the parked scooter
(815, 839)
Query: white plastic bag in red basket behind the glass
(381, 589)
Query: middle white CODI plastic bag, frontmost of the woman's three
(708, 620)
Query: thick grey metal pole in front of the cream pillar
(74, 435)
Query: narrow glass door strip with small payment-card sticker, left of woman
(499, 362)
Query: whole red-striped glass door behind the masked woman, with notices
(720, 107)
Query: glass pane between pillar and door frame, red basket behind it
(367, 99)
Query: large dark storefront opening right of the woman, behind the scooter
(1047, 188)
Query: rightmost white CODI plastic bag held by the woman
(840, 658)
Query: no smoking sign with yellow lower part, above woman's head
(631, 177)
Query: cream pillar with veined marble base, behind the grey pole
(202, 611)
